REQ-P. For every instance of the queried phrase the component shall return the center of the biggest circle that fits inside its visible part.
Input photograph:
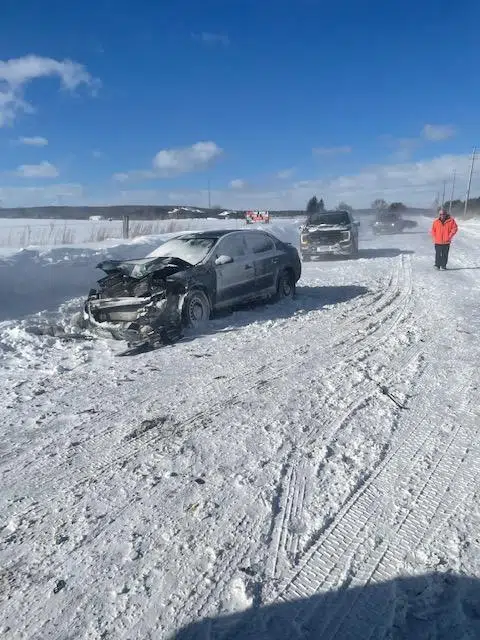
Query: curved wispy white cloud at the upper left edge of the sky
(17, 73)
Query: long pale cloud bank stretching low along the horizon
(415, 183)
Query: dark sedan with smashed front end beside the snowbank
(148, 301)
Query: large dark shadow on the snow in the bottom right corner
(443, 606)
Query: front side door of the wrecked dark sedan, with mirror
(235, 280)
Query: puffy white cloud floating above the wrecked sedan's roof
(168, 163)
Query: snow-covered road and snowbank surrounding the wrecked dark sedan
(307, 469)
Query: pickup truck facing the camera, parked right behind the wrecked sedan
(329, 233)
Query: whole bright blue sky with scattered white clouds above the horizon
(145, 102)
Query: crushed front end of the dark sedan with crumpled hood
(138, 301)
